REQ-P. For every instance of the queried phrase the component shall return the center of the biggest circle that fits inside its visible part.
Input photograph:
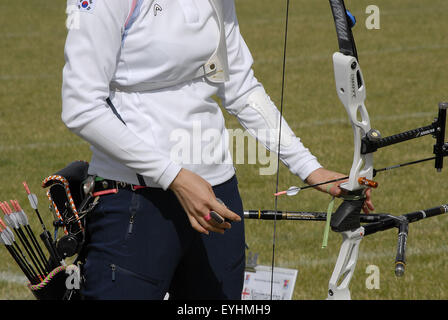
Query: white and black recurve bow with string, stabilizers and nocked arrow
(347, 219)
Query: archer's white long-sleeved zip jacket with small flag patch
(140, 77)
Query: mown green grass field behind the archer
(405, 66)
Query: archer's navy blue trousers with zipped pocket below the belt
(141, 246)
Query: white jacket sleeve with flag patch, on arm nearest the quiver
(91, 53)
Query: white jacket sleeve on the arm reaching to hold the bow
(245, 97)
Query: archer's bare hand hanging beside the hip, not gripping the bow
(198, 199)
